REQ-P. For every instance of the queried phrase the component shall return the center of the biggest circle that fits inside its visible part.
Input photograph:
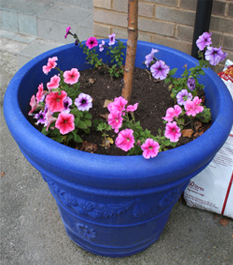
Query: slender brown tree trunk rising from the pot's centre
(131, 48)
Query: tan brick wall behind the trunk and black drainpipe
(166, 22)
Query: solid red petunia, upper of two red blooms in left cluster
(54, 100)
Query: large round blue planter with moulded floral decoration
(114, 206)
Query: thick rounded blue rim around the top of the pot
(194, 154)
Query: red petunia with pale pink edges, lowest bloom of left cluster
(65, 123)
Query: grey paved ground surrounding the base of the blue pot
(31, 228)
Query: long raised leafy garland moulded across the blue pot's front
(98, 210)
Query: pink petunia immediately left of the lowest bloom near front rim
(125, 140)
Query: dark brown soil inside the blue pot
(153, 98)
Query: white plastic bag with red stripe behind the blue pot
(212, 189)
